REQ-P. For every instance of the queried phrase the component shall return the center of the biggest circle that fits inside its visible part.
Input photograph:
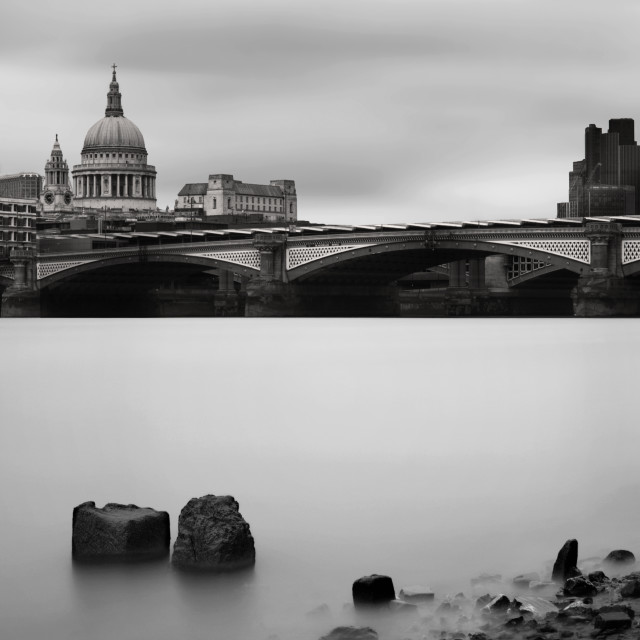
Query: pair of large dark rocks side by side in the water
(212, 534)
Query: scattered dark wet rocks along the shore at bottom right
(581, 605)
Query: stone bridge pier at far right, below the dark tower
(602, 292)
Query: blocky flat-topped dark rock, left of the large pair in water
(119, 533)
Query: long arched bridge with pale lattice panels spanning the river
(591, 263)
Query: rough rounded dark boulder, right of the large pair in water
(213, 536)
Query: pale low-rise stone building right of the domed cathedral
(223, 195)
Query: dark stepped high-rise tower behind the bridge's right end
(607, 181)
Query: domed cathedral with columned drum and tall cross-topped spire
(114, 174)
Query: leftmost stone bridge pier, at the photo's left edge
(22, 298)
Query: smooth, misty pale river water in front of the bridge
(430, 450)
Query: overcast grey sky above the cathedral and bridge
(380, 110)
